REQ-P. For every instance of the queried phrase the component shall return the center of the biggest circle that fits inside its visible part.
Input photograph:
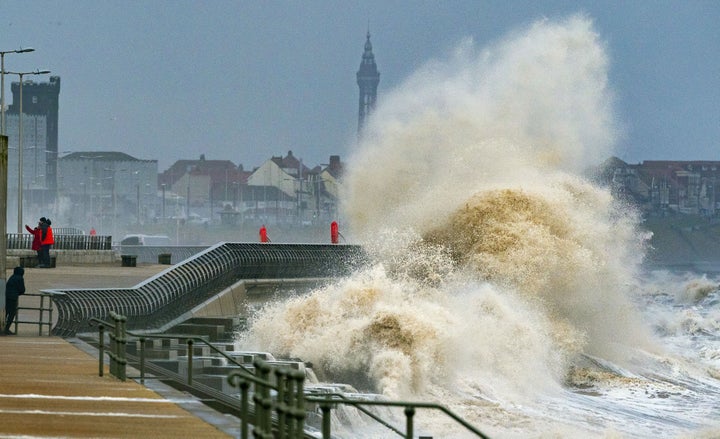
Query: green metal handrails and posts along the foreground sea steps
(278, 398)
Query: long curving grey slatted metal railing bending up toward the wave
(171, 293)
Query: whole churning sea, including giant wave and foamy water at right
(505, 283)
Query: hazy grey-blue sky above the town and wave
(245, 80)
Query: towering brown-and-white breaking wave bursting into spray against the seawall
(499, 269)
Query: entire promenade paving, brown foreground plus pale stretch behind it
(50, 387)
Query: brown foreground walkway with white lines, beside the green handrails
(52, 388)
